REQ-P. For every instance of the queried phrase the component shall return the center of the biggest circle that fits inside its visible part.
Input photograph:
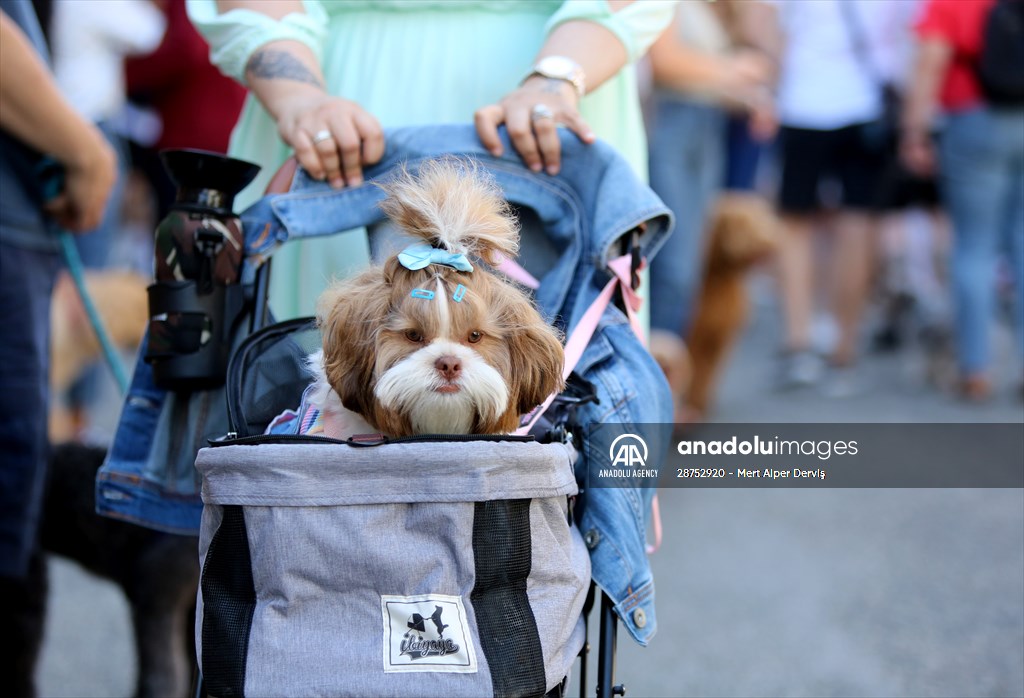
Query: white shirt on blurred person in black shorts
(825, 82)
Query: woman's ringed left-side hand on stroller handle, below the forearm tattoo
(333, 139)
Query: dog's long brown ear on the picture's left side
(350, 315)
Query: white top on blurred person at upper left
(90, 41)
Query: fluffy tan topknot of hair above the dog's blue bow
(452, 205)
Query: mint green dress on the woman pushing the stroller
(411, 63)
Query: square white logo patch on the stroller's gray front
(428, 633)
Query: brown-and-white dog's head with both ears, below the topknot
(438, 351)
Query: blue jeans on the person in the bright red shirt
(983, 156)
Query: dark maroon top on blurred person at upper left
(197, 104)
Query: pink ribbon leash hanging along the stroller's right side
(577, 342)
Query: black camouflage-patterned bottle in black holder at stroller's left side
(197, 298)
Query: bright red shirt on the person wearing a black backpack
(959, 24)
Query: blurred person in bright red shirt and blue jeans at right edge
(980, 159)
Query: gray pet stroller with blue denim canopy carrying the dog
(458, 568)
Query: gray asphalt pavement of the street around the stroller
(889, 593)
